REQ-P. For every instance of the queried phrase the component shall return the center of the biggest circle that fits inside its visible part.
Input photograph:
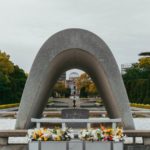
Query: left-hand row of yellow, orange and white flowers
(46, 134)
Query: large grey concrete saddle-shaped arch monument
(67, 49)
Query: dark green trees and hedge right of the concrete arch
(137, 82)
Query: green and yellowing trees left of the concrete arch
(12, 80)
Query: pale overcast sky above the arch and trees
(26, 24)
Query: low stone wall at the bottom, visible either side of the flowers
(4, 145)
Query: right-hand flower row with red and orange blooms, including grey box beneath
(102, 138)
